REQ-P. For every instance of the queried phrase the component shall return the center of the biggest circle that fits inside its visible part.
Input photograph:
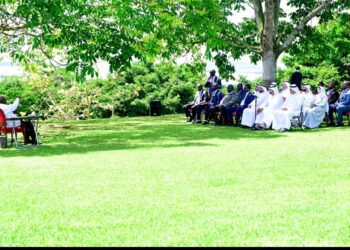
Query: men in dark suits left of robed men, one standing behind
(215, 105)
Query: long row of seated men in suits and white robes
(268, 107)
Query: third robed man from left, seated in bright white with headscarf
(291, 107)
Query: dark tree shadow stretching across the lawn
(79, 137)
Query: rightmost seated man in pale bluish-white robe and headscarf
(315, 115)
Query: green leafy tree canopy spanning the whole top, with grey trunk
(118, 31)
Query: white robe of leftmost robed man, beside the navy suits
(248, 117)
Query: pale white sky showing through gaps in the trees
(243, 66)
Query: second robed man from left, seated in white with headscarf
(265, 115)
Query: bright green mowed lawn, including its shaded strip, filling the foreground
(159, 181)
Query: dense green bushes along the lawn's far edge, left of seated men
(128, 93)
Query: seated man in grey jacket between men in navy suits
(229, 100)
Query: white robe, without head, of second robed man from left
(266, 116)
